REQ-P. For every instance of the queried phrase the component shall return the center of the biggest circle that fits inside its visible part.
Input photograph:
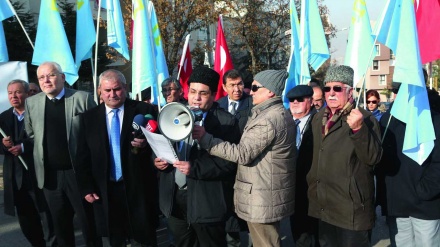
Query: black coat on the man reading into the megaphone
(211, 179)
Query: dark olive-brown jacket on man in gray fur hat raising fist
(341, 186)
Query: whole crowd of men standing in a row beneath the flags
(247, 164)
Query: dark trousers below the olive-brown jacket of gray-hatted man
(333, 236)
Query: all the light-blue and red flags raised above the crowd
(406, 26)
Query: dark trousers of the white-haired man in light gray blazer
(64, 200)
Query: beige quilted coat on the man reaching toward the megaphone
(266, 157)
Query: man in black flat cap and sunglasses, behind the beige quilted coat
(304, 228)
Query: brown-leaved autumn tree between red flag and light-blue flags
(258, 30)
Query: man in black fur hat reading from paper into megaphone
(196, 191)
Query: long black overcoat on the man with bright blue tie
(93, 171)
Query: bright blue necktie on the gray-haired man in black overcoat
(115, 146)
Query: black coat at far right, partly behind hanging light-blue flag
(406, 188)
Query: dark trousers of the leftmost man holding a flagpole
(37, 227)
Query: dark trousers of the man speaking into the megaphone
(190, 235)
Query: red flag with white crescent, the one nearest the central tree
(223, 61)
